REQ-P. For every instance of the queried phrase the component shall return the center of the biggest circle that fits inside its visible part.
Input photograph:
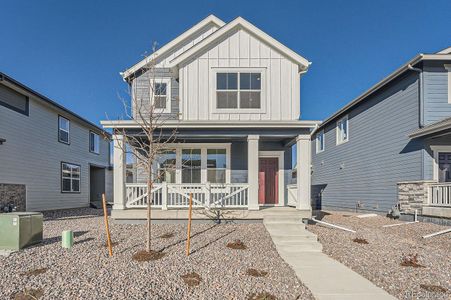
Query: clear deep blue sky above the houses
(73, 51)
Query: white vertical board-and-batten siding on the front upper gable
(240, 50)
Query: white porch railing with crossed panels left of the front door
(167, 195)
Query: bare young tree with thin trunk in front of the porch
(150, 140)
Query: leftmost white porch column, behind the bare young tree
(119, 171)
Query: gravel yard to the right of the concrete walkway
(379, 260)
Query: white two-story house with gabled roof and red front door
(233, 93)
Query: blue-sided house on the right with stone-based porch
(386, 146)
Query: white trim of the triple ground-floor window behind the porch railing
(203, 148)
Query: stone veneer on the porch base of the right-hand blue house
(413, 195)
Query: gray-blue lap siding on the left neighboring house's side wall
(32, 156)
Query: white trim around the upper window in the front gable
(263, 85)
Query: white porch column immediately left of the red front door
(252, 171)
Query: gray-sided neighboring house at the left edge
(50, 158)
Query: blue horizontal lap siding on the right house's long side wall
(379, 153)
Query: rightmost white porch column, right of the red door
(303, 155)
